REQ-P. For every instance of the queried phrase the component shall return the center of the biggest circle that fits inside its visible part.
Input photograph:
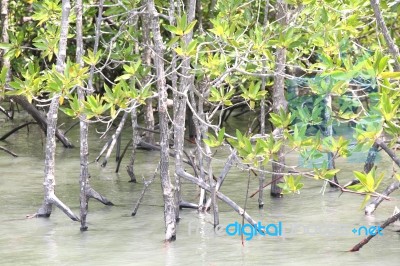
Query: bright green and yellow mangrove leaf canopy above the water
(232, 57)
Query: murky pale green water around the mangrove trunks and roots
(116, 238)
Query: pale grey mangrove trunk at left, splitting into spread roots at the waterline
(52, 115)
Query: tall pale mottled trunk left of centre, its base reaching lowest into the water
(167, 189)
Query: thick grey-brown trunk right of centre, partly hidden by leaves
(279, 101)
